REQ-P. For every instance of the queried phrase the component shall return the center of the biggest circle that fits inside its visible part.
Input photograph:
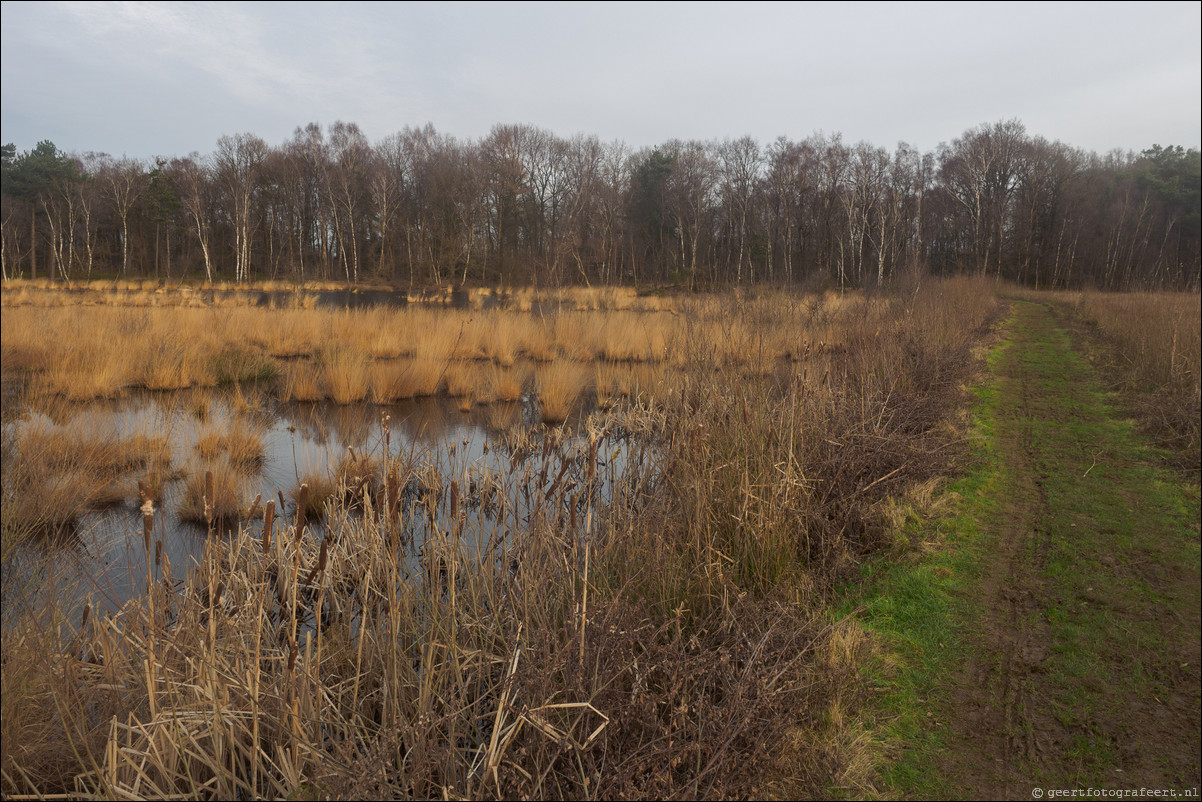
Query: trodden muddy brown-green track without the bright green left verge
(1085, 668)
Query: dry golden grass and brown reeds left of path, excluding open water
(671, 644)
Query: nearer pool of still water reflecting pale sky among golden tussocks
(505, 465)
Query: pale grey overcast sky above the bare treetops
(150, 79)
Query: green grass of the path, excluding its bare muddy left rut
(1120, 549)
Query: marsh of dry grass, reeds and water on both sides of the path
(544, 551)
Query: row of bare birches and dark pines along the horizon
(523, 206)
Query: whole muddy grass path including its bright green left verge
(1052, 640)
